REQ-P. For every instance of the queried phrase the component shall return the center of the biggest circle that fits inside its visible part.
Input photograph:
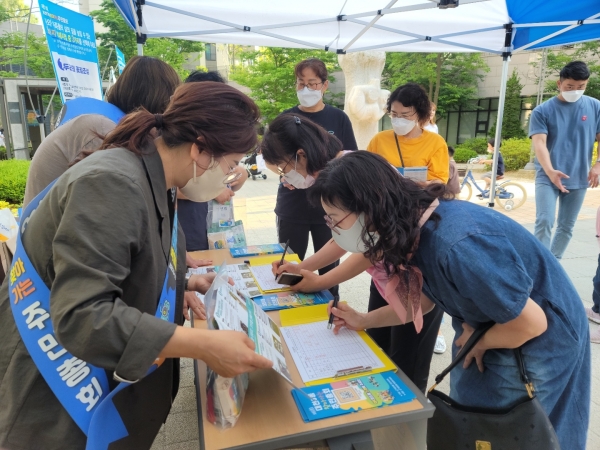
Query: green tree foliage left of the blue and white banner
(12, 53)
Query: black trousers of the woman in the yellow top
(410, 351)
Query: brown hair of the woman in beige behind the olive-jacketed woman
(145, 83)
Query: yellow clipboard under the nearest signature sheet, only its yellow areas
(317, 313)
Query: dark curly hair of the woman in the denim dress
(362, 182)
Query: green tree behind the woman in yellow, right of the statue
(450, 79)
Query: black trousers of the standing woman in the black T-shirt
(298, 234)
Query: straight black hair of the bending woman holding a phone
(288, 133)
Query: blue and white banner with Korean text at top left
(72, 45)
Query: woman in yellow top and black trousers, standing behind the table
(409, 145)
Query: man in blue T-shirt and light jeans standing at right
(563, 130)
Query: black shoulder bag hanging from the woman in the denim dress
(523, 426)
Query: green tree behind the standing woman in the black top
(269, 73)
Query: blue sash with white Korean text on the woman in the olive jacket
(81, 388)
